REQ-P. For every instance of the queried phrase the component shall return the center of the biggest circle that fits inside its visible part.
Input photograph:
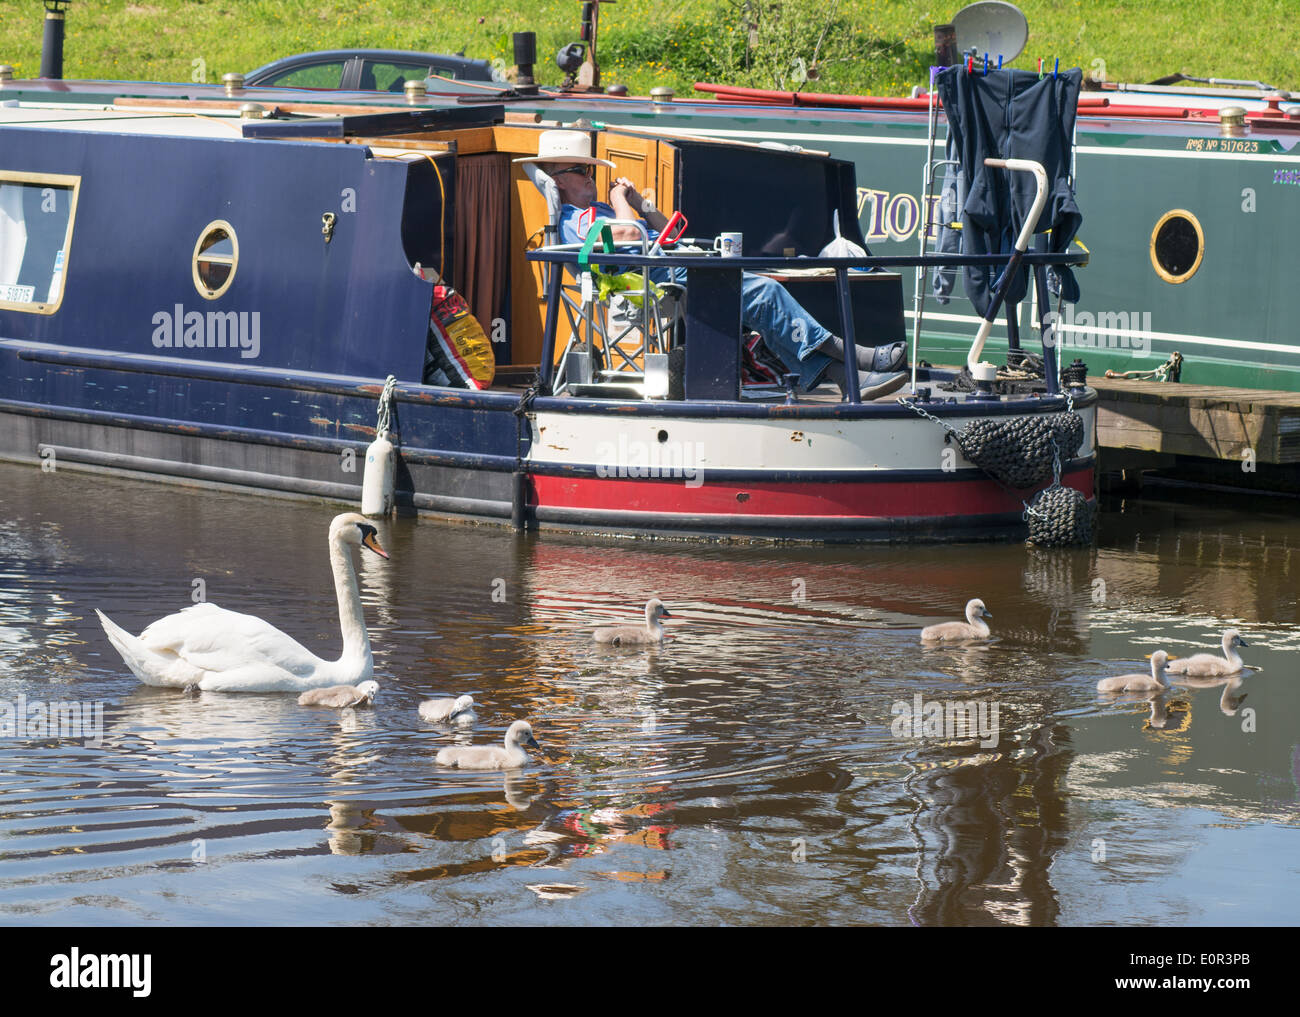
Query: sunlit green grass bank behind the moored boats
(870, 46)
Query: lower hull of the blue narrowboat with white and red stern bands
(904, 487)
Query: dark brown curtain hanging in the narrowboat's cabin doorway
(483, 235)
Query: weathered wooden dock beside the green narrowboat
(1223, 432)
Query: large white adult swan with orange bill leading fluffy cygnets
(220, 651)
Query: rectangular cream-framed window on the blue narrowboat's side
(37, 213)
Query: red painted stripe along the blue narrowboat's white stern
(898, 500)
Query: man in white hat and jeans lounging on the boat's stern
(788, 331)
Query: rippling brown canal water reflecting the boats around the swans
(779, 760)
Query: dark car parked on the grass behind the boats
(382, 71)
